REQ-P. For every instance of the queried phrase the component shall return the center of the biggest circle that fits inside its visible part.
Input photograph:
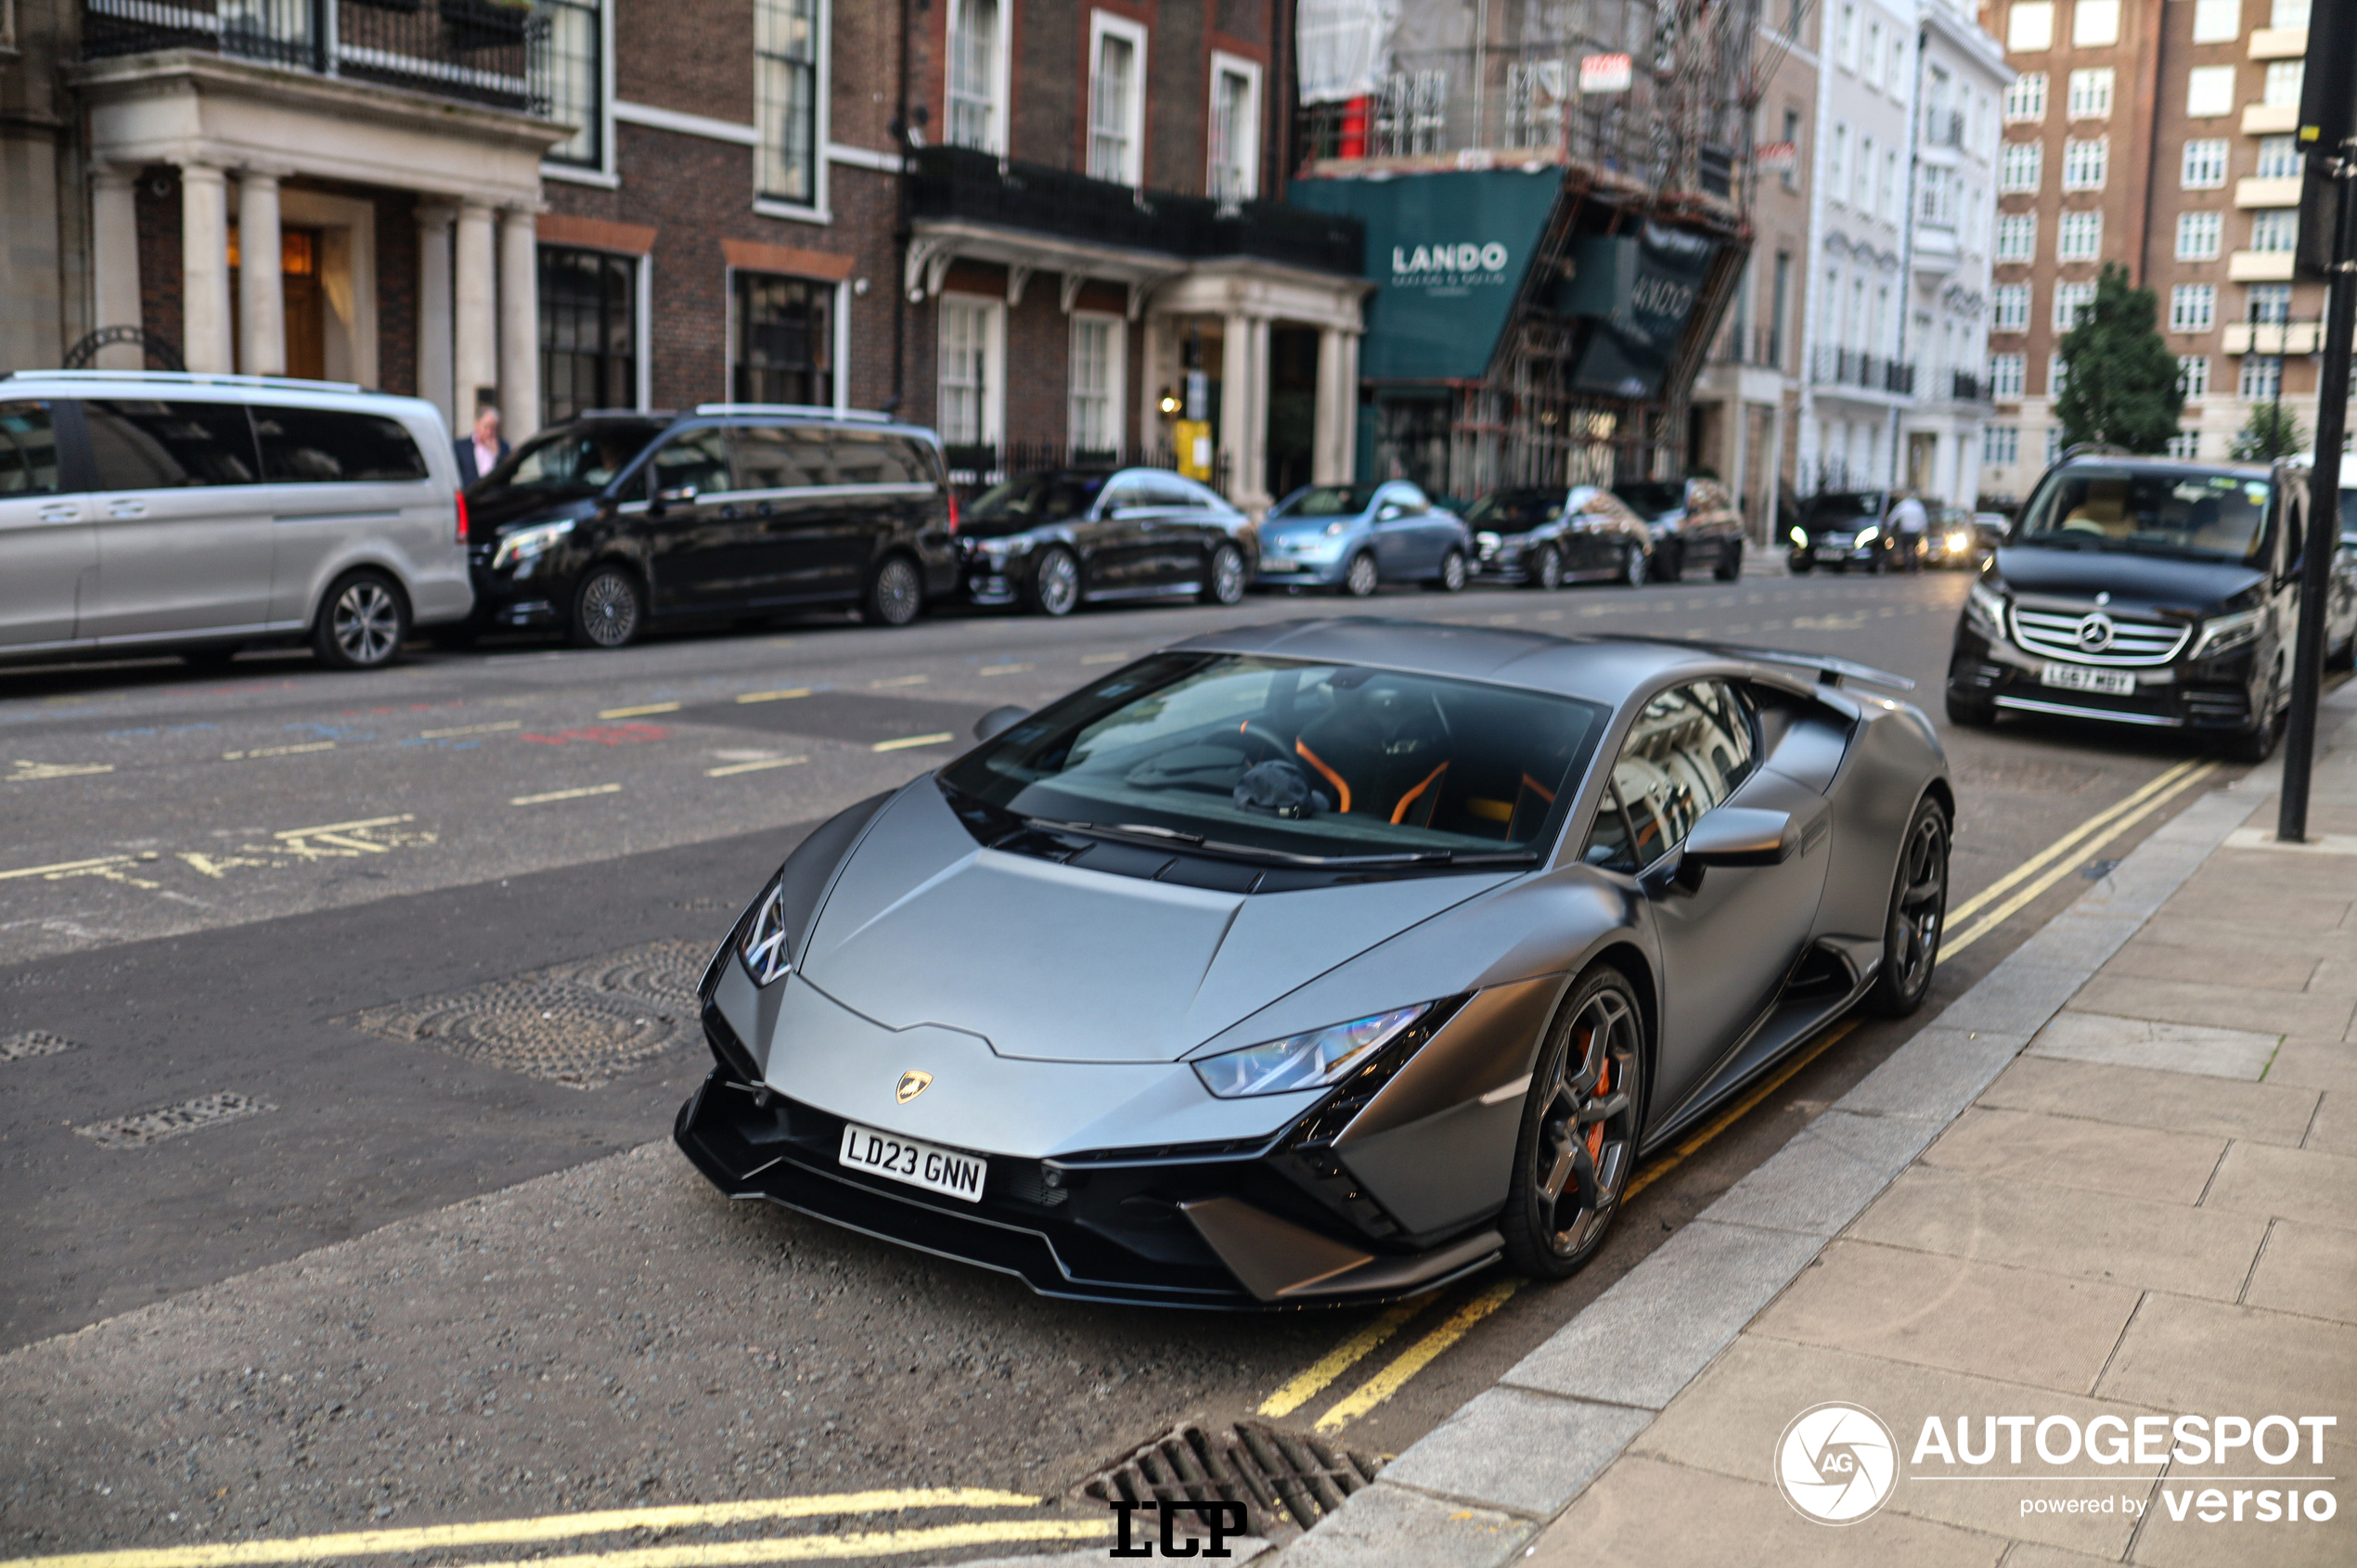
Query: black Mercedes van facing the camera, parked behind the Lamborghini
(2148, 593)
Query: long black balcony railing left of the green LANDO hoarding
(960, 183)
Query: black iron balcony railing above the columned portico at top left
(475, 51)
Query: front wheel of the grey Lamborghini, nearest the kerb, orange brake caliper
(1580, 1128)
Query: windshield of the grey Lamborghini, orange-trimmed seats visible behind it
(1281, 760)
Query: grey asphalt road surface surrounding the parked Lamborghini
(324, 911)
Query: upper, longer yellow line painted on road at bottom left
(548, 1527)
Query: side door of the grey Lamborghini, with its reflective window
(1731, 935)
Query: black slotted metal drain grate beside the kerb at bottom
(1286, 1480)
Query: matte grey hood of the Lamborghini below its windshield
(1055, 963)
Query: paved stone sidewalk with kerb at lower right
(2118, 1178)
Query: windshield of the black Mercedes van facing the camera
(2212, 518)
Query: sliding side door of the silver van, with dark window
(185, 527)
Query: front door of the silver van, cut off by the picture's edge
(48, 546)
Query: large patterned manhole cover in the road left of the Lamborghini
(579, 1025)
